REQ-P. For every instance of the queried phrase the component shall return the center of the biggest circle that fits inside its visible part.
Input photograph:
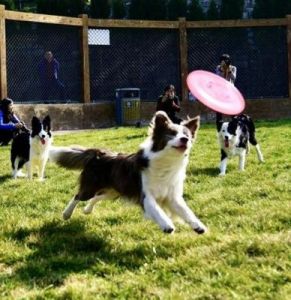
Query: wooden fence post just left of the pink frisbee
(183, 58)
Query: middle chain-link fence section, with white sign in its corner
(139, 58)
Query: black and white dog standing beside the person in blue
(32, 148)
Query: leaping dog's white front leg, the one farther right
(181, 209)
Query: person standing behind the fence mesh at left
(49, 75)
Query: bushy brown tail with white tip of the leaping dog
(71, 157)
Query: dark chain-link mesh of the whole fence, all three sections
(147, 59)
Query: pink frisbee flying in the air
(215, 92)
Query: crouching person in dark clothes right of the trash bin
(169, 103)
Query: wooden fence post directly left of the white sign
(85, 59)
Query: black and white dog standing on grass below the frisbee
(234, 138)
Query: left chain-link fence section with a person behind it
(29, 79)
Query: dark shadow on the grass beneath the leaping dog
(59, 249)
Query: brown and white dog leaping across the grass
(152, 177)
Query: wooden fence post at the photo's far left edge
(3, 70)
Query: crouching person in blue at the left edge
(9, 122)
